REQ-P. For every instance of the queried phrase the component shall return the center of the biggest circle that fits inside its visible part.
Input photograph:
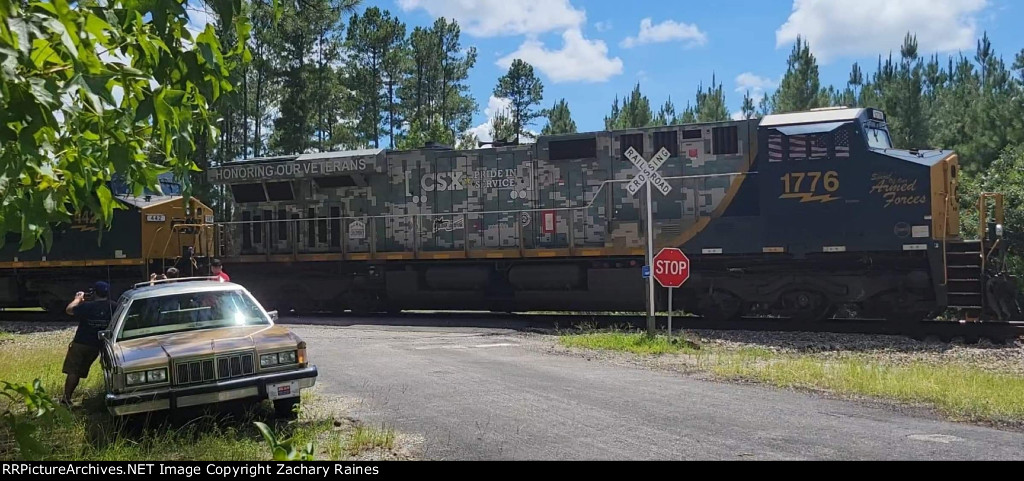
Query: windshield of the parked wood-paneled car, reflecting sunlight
(192, 312)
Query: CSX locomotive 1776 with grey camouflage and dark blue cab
(794, 215)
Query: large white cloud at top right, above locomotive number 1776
(840, 28)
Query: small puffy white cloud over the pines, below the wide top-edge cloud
(579, 60)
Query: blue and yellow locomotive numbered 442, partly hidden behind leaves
(148, 234)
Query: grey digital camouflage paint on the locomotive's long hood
(442, 200)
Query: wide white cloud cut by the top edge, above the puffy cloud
(502, 18)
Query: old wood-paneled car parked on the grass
(199, 341)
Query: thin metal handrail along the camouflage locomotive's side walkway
(371, 248)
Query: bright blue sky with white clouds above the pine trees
(589, 52)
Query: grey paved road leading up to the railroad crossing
(478, 393)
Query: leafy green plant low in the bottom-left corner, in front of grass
(40, 412)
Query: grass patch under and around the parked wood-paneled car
(226, 434)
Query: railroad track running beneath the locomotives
(968, 333)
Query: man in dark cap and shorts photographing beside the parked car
(93, 317)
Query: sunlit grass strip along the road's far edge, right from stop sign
(960, 392)
